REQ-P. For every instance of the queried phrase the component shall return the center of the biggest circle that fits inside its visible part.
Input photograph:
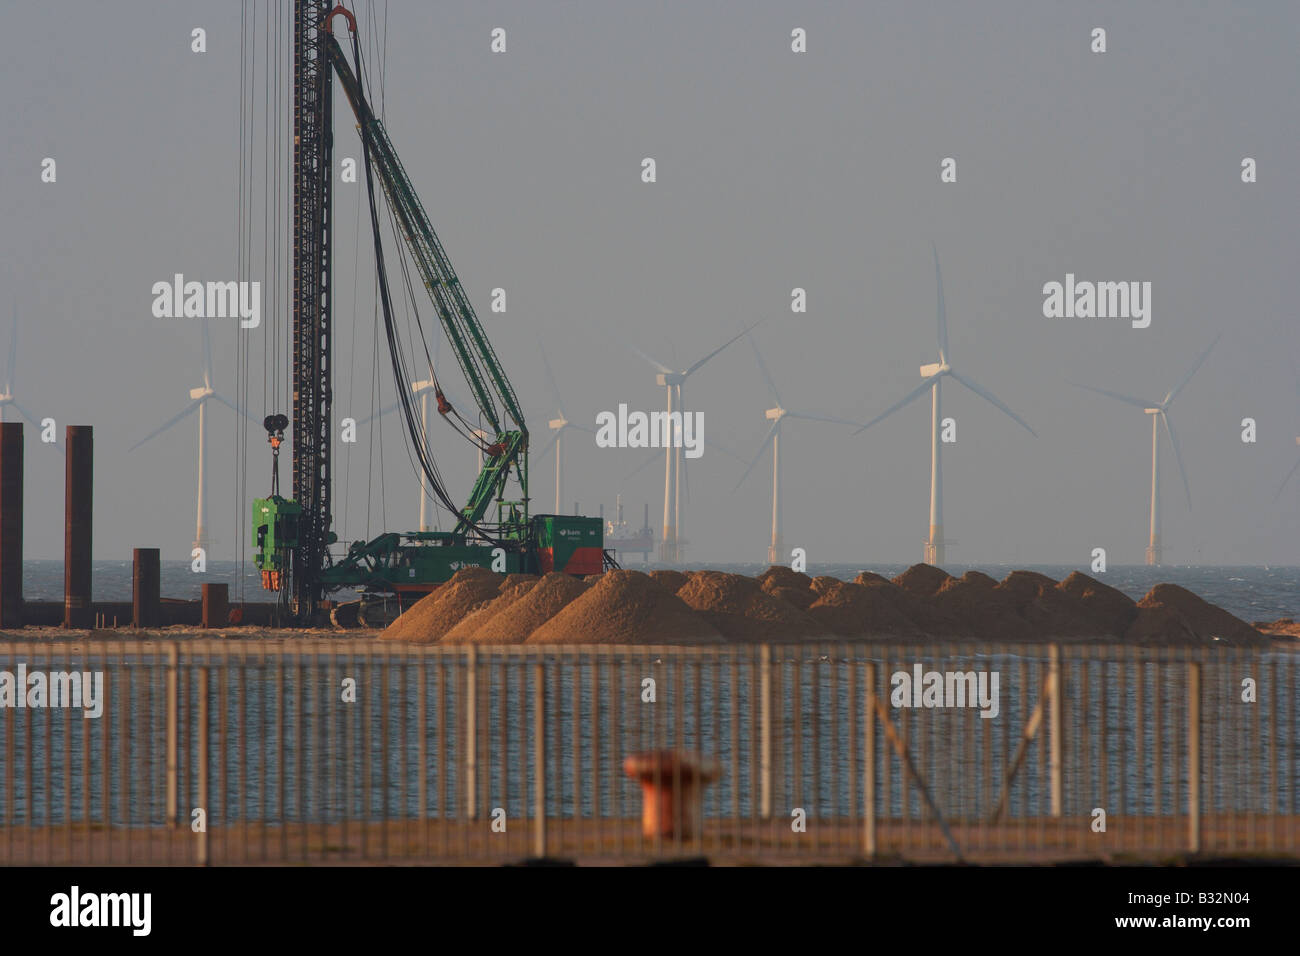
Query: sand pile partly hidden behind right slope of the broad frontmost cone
(742, 611)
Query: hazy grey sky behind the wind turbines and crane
(775, 170)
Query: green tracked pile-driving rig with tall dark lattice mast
(293, 535)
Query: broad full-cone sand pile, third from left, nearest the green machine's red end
(627, 608)
